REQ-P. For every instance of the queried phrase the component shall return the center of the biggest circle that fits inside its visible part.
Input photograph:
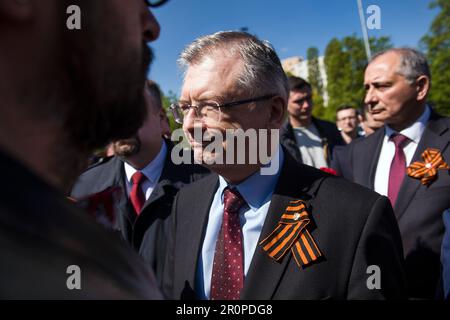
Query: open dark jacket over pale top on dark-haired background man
(330, 135)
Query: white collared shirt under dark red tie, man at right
(414, 132)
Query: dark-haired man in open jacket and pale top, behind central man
(308, 139)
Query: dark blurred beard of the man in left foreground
(111, 109)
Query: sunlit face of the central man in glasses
(214, 80)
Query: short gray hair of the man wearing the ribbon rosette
(413, 63)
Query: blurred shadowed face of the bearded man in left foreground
(106, 67)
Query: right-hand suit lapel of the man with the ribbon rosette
(435, 136)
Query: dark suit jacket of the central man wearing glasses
(352, 226)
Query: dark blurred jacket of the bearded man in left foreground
(42, 234)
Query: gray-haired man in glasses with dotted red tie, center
(267, 229)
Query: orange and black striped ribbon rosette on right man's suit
(427, 171)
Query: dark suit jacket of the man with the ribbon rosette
(418, 208)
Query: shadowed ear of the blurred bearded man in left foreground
(16, 11)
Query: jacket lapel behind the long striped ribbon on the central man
(264, 273)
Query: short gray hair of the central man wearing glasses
(262, 67)
